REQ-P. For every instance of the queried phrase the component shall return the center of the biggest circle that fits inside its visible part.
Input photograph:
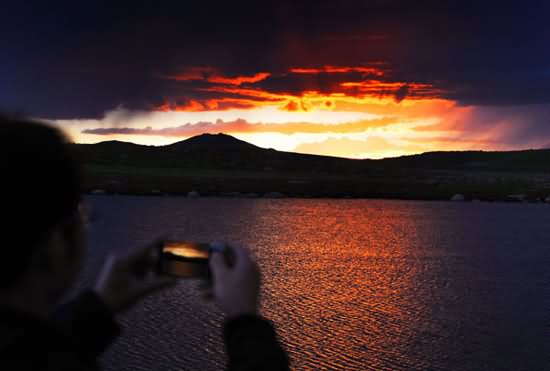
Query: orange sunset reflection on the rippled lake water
(342, 282)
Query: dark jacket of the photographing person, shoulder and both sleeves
(81, 330)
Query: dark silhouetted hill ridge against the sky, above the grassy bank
(221, 151)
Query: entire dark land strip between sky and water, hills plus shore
(219, 164)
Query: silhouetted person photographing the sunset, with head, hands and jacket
(43, 252)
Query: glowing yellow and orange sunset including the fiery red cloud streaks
(360, 113)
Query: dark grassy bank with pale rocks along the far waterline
(428, 185)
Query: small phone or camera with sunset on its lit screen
(188, 259)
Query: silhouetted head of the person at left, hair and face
(39, 199)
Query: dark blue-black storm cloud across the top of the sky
(75, 61)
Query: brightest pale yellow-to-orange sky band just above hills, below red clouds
(365, 128)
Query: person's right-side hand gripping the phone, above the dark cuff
(236, 288)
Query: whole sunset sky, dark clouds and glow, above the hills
(357, 79)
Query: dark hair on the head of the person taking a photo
(40, 188)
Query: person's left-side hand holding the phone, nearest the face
(127, 276)
